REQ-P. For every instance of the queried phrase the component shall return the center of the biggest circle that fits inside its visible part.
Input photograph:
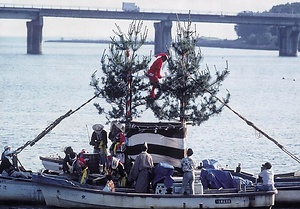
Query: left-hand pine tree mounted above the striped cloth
(122, 84)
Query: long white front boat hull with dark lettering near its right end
(62, 192)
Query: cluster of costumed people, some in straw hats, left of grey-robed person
(103, 160)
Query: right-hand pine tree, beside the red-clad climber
(189, 94)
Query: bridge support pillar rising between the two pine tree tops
(163, 36)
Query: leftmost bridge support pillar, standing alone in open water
(34, 36)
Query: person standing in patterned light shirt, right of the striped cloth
(188, 166)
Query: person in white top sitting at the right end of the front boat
(267, 175)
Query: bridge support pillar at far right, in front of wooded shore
(288, 41)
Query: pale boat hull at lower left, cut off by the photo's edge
(20, 190)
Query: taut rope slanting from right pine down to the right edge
(249, 123)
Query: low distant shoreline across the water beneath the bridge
(202, 42)
